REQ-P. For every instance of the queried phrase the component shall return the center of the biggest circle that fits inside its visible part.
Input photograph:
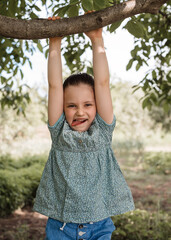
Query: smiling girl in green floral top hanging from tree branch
(82, 185)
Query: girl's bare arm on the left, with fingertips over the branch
(55, 96)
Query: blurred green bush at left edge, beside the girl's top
(19, 181)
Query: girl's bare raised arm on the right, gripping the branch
(101, 76)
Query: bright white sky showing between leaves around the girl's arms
(118, 47)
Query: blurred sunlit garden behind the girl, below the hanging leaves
(142, 147)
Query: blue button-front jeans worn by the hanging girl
(102, 230)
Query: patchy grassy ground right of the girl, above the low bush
(151, 189)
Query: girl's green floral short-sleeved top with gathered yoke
(82, 181)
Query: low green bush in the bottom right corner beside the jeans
(141, 225)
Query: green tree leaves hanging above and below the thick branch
(152, 40)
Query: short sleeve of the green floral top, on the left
(56, 129)
